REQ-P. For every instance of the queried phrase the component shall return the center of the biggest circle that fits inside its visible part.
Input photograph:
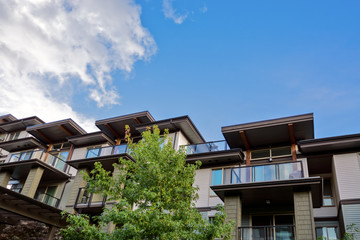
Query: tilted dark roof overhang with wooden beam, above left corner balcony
(56, 132)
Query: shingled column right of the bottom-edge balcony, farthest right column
(304, 216)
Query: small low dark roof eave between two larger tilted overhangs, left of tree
(91, 139)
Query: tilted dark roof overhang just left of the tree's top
(115, 127)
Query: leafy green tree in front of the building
(154, 194)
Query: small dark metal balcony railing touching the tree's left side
(86, 199)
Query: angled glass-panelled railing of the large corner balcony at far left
(52, 160)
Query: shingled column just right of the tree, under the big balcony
(232, 208)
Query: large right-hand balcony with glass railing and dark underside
(266, 185)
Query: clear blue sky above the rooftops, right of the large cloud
(230, 62)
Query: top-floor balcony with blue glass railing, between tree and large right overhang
(213, 153)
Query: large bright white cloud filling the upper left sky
(48, 46)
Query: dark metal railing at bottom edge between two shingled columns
(281, 232)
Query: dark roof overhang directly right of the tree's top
(183, 124)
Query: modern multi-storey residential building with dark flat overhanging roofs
(274, 179)
